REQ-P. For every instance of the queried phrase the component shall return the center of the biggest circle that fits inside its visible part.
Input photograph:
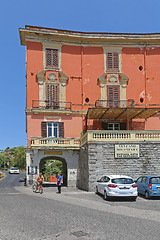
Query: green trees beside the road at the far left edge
(15, 156)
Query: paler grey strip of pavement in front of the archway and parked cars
(91, 201)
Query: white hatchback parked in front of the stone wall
(117, 186)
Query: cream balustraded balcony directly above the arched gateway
(55, 143)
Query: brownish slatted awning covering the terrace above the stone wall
(114, 114)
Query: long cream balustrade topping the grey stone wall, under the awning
(120, 135)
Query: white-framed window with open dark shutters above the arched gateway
(52, 129)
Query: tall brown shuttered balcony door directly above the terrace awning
(113, 96)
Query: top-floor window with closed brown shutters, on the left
(52, 58)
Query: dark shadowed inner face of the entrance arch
(65, 174)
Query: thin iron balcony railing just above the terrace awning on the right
(114, 104)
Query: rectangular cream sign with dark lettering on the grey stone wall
(126, 151)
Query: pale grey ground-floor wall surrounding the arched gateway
(69, 159)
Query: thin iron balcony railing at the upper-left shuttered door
(51, 105)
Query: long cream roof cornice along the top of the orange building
(34, 32)
